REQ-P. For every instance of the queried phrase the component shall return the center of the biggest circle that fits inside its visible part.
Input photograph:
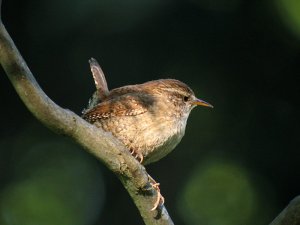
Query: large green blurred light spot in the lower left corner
(53, 182)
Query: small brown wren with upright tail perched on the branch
(149, 118)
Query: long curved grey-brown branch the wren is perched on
(94, 140)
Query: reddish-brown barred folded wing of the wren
(125, 105)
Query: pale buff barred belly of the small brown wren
(154, 138)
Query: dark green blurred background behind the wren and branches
(238, 164)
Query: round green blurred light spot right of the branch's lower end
(217, 193)
